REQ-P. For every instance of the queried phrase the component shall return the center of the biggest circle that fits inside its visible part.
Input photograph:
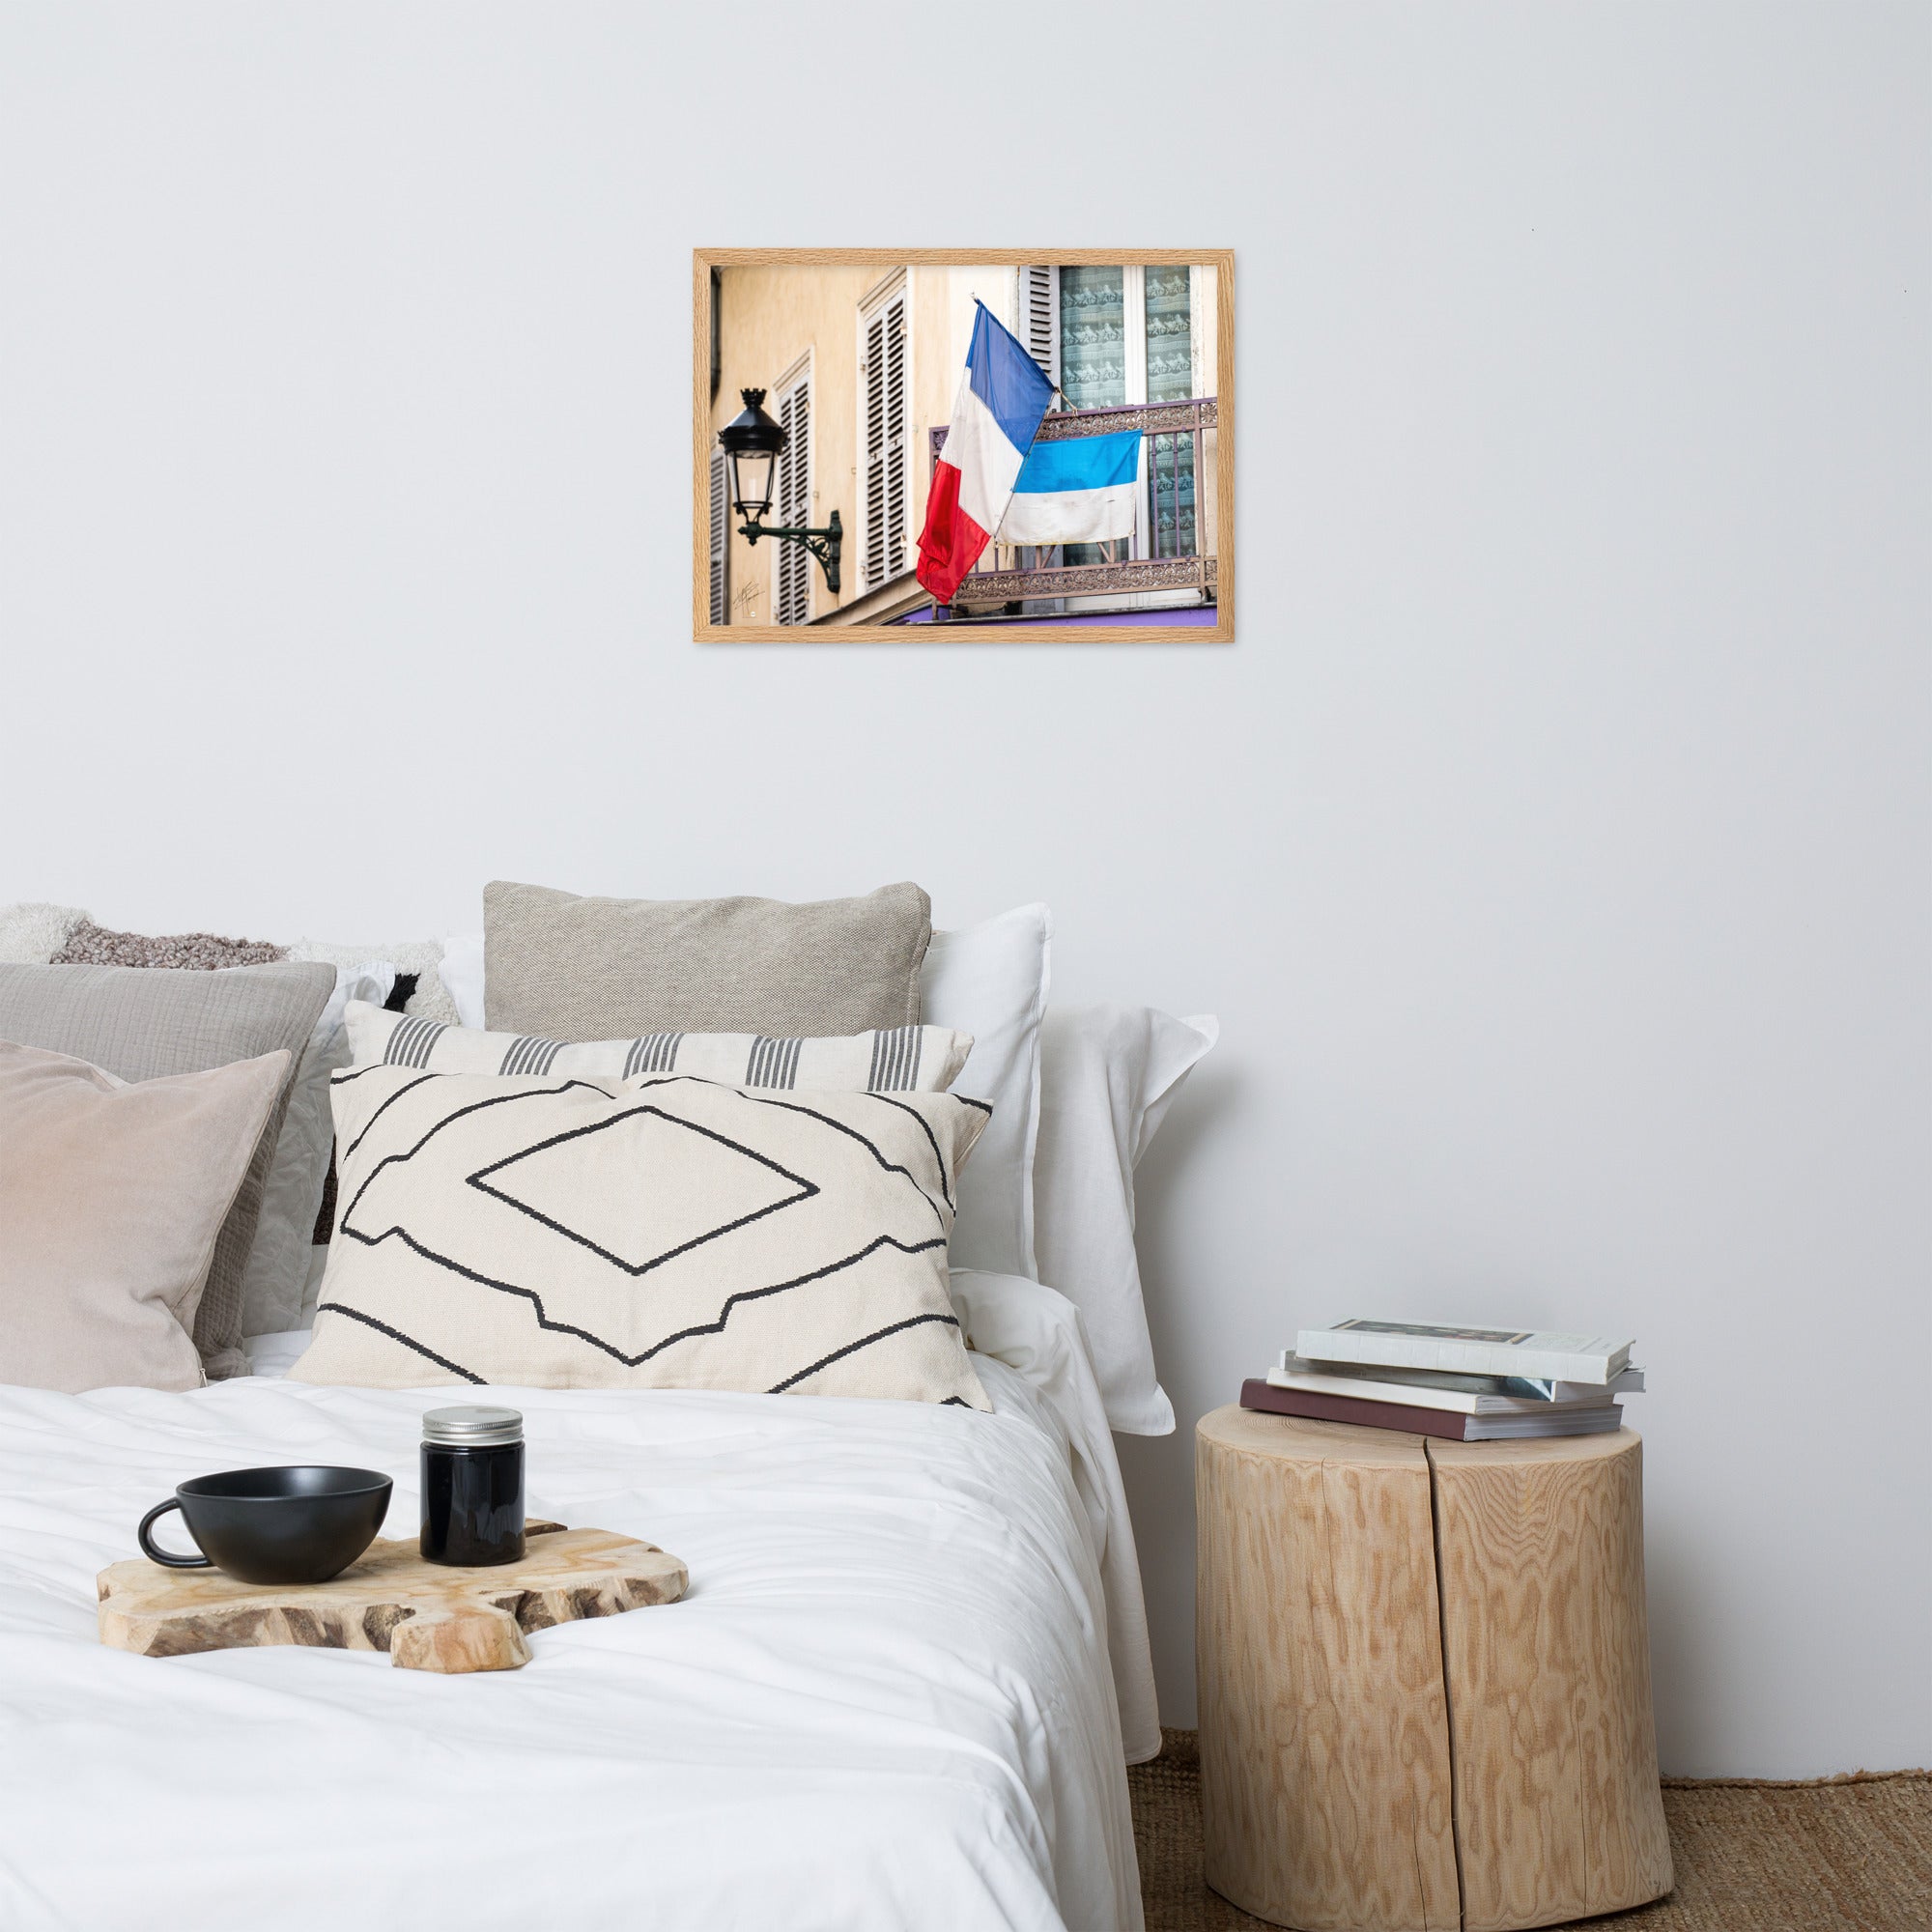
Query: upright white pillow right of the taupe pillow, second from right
(990, 980)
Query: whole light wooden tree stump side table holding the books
(1425, 1678)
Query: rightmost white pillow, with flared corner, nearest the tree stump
(1110, 1075)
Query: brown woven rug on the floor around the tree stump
(1840, 1856)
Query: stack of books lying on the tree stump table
(1467, 1384)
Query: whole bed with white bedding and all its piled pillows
(913, 1661)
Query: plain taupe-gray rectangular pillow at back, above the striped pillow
(617, 969)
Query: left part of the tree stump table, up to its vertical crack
(1326, 1796)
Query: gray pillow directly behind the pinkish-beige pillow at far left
(148, 1025)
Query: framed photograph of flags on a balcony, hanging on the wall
(963, 445)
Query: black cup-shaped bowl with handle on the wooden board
(277, 1525)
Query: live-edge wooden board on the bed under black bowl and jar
(426, 1616)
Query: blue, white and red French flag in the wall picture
(996, 418)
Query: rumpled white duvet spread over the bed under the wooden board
(886, 1703)
